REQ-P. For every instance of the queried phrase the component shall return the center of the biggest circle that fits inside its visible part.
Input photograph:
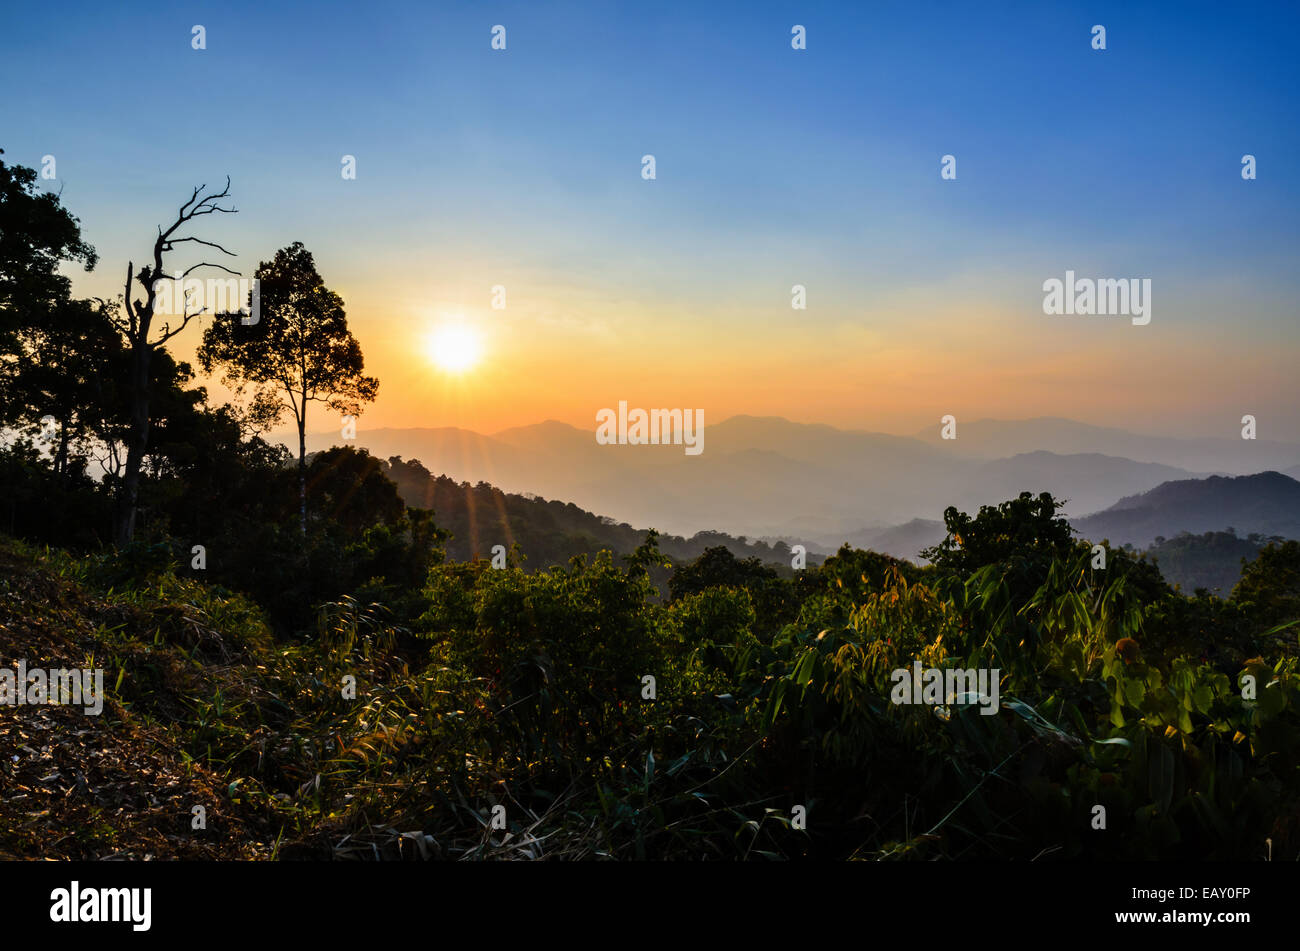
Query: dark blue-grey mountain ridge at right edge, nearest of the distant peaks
(1267, 503)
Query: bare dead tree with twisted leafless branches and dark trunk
(137, 325)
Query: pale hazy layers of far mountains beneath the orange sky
(822, 487)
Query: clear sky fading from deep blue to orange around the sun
(774, 167)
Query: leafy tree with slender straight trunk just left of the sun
(298, 353)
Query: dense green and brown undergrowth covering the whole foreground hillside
(527, 692)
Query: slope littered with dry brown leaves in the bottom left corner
(119, 785)
